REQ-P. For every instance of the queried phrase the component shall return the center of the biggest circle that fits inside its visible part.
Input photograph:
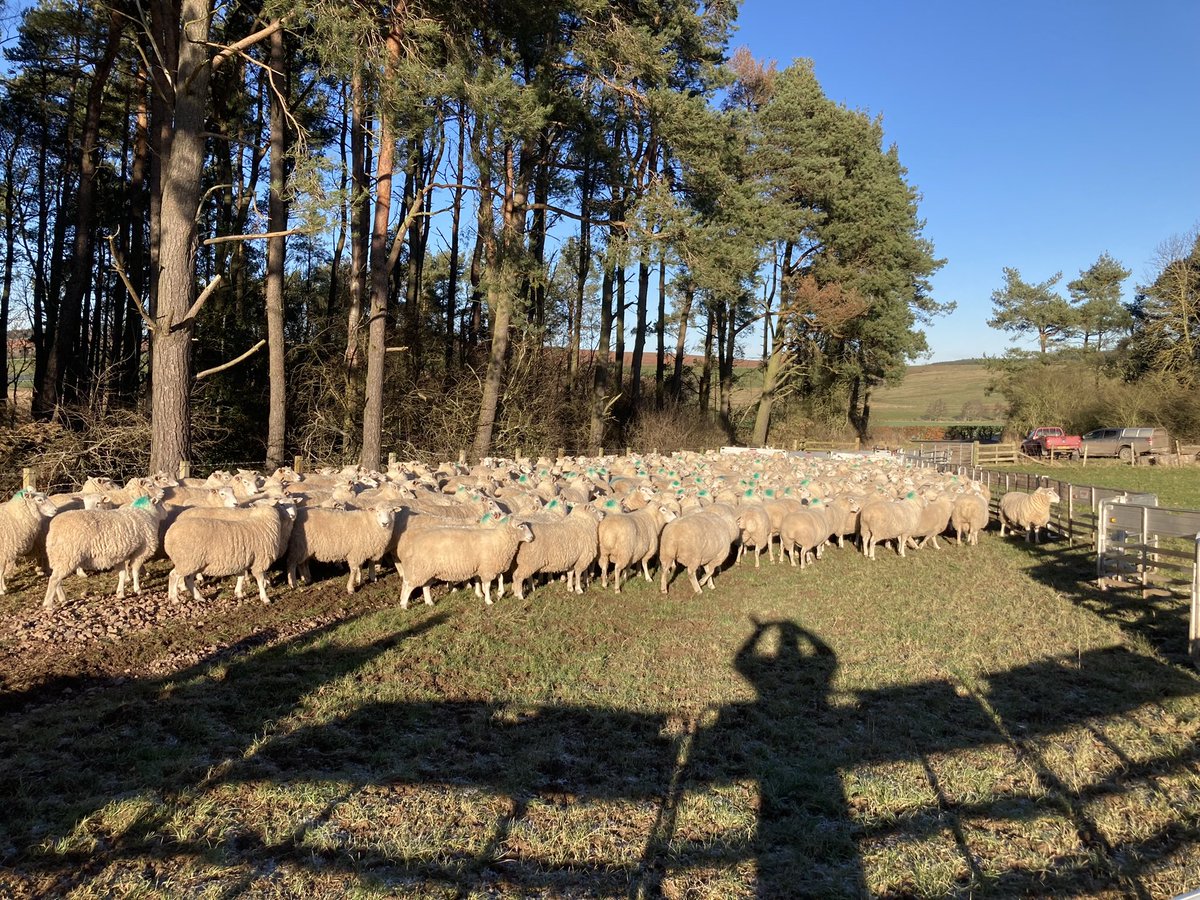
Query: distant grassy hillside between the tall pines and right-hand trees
(940, 393)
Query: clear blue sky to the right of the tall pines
(1040, 134)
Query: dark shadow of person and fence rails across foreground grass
(488, 776)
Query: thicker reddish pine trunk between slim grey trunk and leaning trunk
(381, 274)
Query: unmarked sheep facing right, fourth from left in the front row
(333, 536)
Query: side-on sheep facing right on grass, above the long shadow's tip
(458, 554)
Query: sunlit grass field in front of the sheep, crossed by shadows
(965, 722)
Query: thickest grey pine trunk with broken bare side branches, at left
(171, 441)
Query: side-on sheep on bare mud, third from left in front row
(219, 547)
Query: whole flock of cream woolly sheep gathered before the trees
(457, 525)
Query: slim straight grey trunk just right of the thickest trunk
(277, 257)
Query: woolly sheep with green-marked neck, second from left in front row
(99, 541)
